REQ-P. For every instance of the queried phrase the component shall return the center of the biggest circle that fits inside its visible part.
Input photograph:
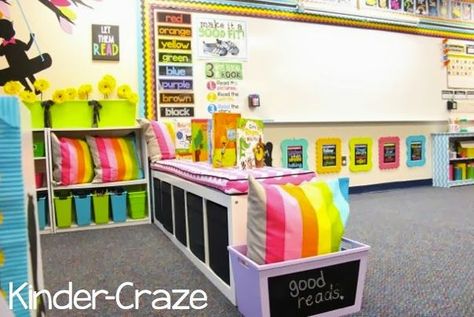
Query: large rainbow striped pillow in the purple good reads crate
(293, 221)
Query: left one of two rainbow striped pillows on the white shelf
(72, 163)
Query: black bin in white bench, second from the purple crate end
(196, 225)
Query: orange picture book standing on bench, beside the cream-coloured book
(224, 126)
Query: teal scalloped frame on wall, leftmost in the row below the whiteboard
(294, 153)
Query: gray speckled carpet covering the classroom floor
(421, 262)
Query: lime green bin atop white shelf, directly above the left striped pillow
(71, 114)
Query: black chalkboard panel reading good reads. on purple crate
(314, 291)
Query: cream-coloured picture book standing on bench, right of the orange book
(250, 146)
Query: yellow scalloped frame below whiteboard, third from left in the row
(360, 155)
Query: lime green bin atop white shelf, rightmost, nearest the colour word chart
(117, 113)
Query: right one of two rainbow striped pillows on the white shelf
(115, 159)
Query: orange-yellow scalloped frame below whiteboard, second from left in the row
(328, 155)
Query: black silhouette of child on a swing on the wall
(21, 67)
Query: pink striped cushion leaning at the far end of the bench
(159, 139)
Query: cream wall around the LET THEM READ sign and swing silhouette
(72, 63)
